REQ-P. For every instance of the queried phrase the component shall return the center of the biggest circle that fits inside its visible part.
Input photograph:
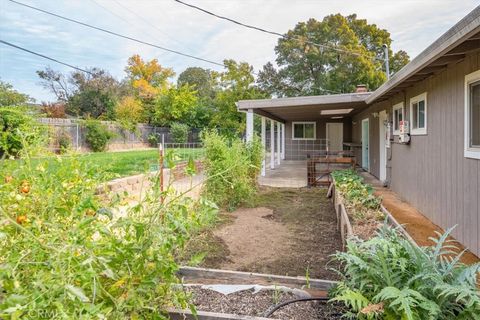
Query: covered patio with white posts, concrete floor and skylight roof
(295, 129)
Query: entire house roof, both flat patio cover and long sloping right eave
(450, 48)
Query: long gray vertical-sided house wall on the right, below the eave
(431, 172)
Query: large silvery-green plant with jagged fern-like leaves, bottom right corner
(388, 277)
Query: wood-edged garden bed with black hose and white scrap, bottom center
(225, 294)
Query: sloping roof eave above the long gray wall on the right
(451, 47)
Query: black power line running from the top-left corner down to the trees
(118, 34)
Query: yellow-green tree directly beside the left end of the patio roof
(235, 83)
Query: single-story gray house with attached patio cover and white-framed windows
(438, 93)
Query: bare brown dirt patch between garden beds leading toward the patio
(285, 231)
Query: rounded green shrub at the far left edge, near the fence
(17, 130)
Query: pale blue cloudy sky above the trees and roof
(413, 24)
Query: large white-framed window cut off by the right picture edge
(472, 115)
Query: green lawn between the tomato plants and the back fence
(127, 163)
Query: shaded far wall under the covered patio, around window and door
(299, 149)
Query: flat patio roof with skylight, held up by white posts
(308, 107)
